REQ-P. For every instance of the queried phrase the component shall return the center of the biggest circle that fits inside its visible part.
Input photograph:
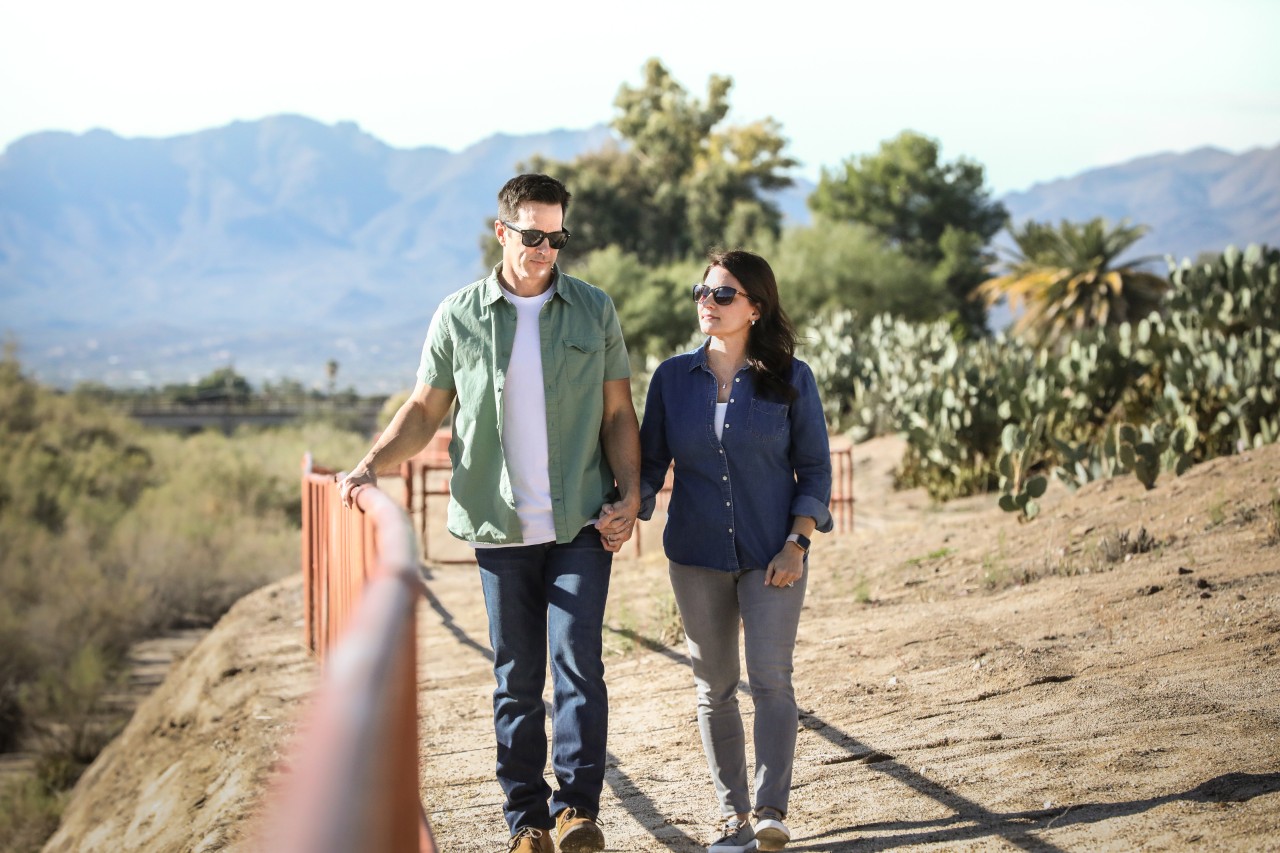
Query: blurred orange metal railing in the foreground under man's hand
(353, 778)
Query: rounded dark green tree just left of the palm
(938, 213)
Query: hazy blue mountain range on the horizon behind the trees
(277, 245)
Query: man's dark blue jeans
(538, 597)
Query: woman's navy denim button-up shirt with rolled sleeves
(734, 498)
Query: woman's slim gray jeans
(712, 605)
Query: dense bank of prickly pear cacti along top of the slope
(1199, 381)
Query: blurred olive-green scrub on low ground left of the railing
(115, 533)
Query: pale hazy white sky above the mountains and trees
(1031, 90)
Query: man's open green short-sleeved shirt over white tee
(468, 350)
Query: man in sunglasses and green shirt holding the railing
(546, 458)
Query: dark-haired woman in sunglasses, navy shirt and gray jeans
(742, 419)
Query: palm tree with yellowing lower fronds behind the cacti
(1067, 279)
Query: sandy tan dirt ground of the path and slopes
(1101, 679)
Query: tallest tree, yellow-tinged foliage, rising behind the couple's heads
(675, 185)
